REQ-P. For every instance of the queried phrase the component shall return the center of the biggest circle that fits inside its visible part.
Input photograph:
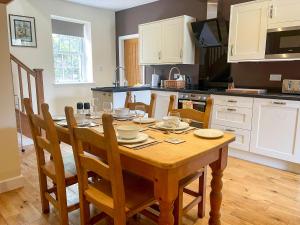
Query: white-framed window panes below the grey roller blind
(68, 59)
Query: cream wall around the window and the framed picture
(103, 47)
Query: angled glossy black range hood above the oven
(211, 33)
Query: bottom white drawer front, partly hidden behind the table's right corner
(242, 137)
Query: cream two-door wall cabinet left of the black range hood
(167, 41)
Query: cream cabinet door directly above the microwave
(284, 13)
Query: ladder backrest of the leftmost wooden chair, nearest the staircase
(45, 138)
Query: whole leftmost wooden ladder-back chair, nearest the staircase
(62, 171)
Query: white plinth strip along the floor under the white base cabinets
(263, 160)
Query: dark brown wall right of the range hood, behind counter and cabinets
(256, 75)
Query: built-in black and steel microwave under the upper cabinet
(283, 43)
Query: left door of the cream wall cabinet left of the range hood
(150, 43)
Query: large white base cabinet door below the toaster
(276, 130)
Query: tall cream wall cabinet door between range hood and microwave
(248, 31)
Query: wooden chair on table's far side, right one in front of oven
(199, 196)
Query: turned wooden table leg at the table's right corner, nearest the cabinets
(216, 187)
